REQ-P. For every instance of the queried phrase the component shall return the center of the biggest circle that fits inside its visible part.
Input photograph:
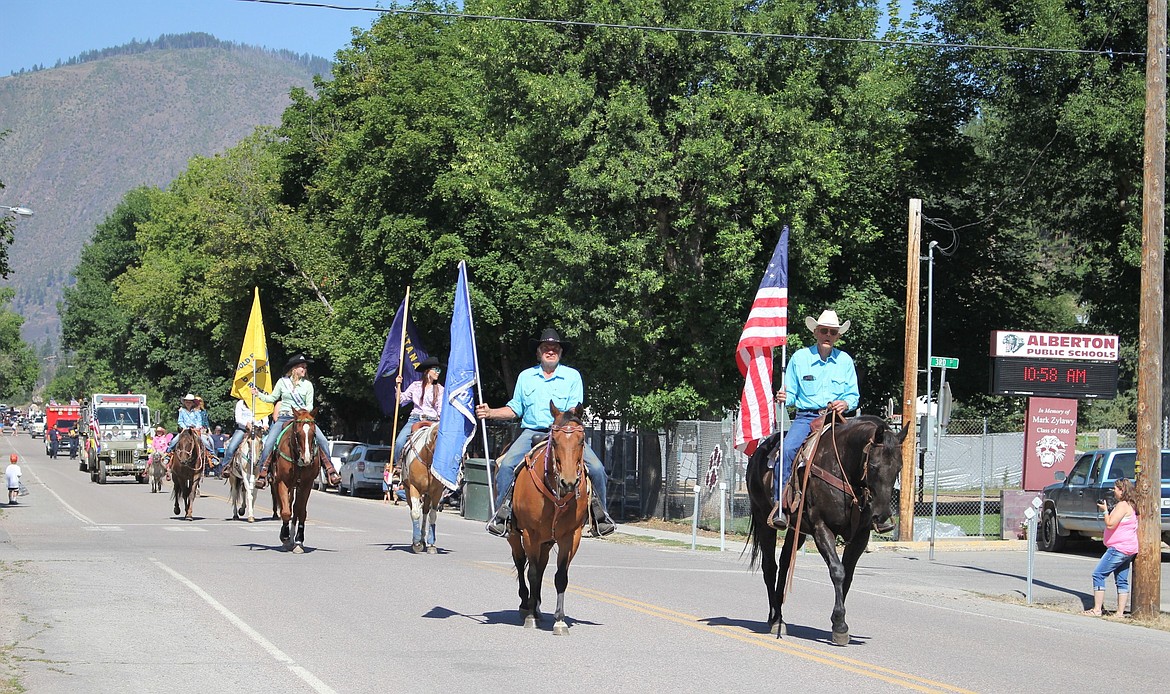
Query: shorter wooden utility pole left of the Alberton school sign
(911, 373)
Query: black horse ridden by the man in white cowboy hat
(849, 493)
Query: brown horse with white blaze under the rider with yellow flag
(297, 468)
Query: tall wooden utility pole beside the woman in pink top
(1147, 592)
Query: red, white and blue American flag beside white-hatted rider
(767, 328)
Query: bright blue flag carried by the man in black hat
(457, 422)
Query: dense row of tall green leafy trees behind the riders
(629, 187)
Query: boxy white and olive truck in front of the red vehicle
(115, 431)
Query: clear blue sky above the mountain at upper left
(43, 32)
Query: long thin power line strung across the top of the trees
(565, 23)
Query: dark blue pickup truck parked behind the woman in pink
(1070, 506)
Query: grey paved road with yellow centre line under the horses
(101, 590)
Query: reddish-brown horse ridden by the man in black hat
(550, 504)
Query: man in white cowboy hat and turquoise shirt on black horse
(820, 380)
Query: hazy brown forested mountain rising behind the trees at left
(85, 133)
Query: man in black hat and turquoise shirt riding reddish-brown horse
(550, 381)
